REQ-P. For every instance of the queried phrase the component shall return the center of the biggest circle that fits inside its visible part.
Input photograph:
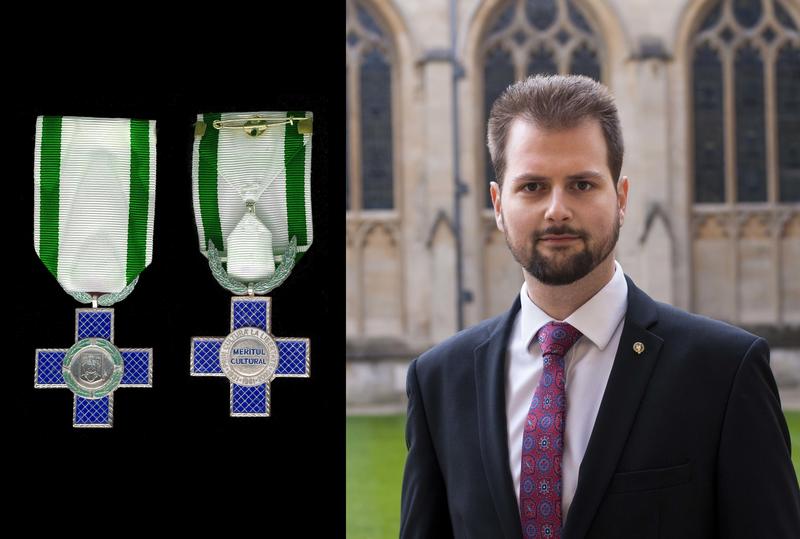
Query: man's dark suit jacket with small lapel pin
(690, 440)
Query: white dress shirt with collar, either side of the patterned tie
(588, 364)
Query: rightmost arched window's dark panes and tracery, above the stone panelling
(746, 104)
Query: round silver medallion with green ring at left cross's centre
(92, 368)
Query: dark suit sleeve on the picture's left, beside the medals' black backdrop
(424, 510)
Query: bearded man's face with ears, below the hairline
(558, 207)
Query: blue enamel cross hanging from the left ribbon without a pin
(94, 328)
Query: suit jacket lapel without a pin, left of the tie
(492, 427)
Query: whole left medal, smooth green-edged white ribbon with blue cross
(94, 197)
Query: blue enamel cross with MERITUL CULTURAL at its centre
(292, 356)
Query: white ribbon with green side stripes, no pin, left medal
(94, 199)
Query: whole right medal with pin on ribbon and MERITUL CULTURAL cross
(251, 179)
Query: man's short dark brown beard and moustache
(561, 268)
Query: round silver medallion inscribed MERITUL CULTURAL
(249, 357)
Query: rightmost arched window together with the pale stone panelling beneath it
(745, 160)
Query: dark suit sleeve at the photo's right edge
(757, 486)
